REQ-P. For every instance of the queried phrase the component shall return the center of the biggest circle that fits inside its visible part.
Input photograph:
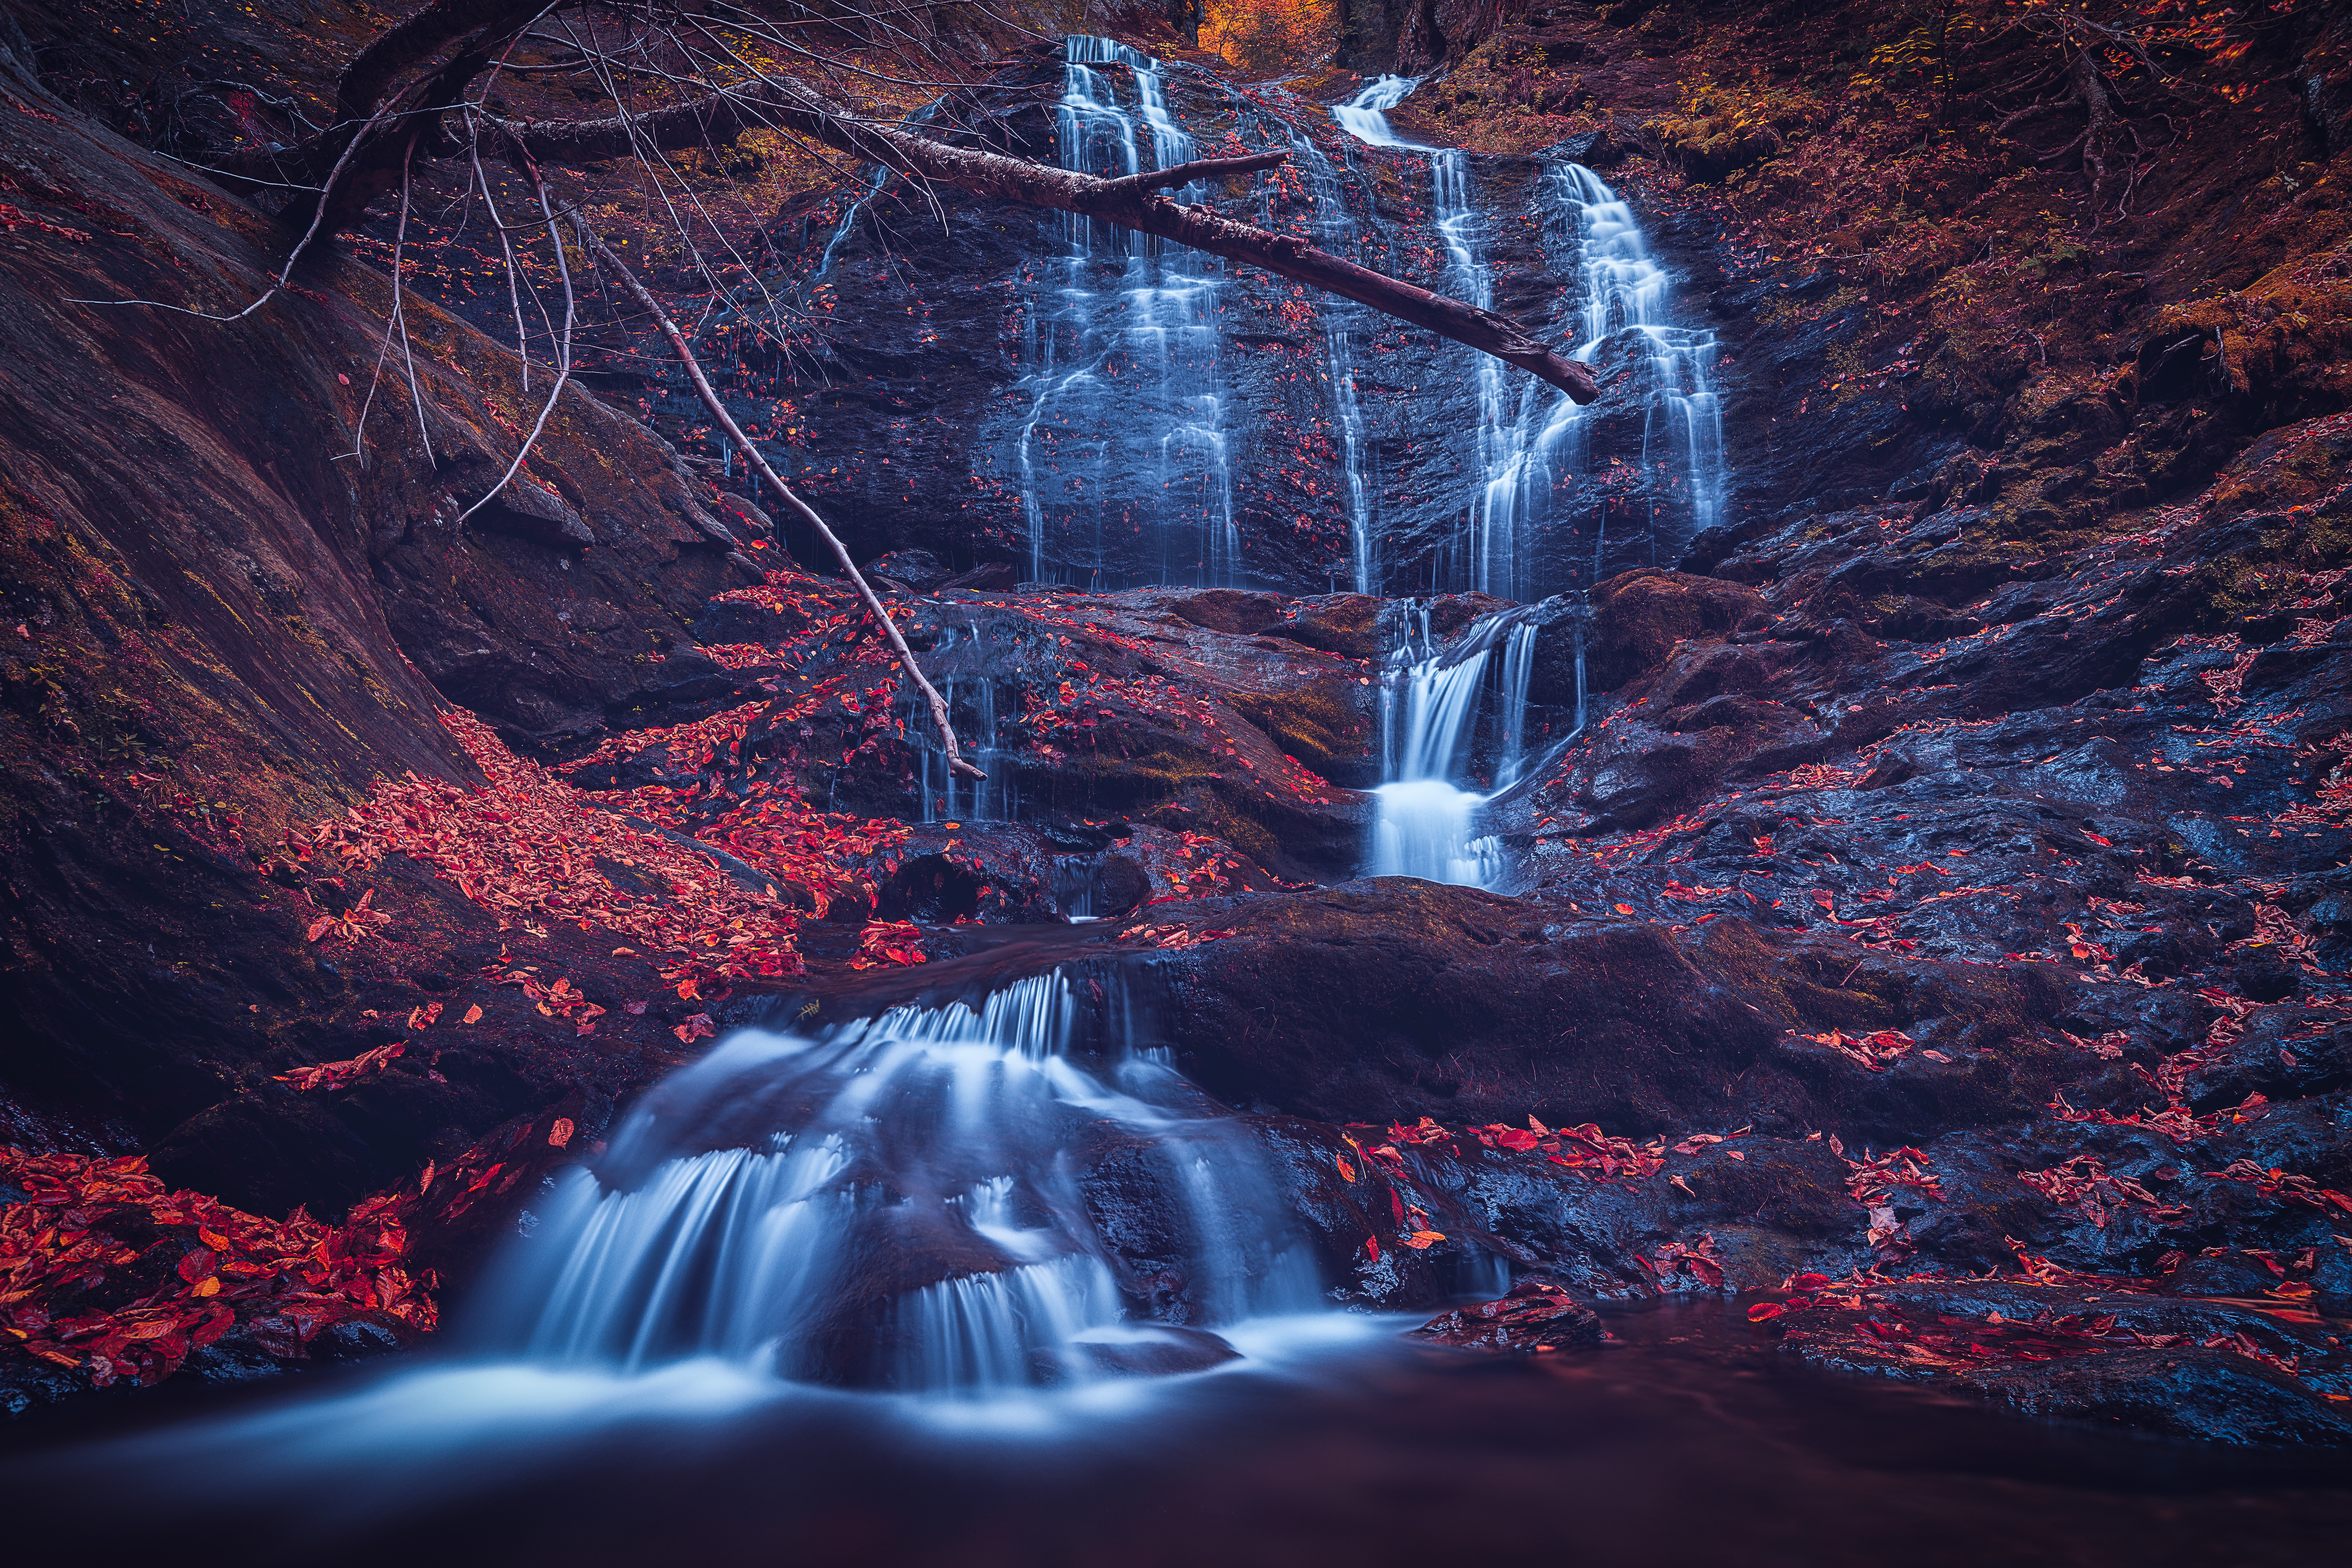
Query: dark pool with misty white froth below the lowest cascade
(1332, 1442)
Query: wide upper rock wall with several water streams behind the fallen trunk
(1107, 410)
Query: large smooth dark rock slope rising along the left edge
(227, 634)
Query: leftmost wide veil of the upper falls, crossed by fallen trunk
(1123, 391)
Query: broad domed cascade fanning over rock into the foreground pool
(897, 1205)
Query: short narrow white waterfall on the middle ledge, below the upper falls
(1426, 824)
